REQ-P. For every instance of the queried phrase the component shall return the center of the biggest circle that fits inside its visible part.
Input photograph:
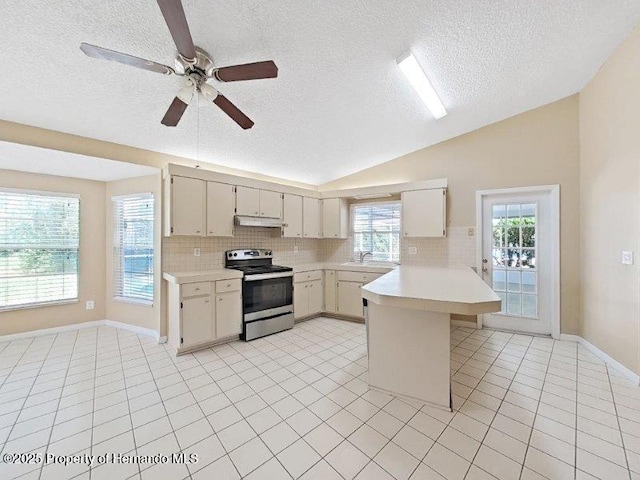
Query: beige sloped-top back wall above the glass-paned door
(538, 147)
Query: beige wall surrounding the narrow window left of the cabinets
(140, 315)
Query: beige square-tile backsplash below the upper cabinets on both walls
(457, 250)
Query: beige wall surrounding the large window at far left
(92, 245)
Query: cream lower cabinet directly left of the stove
(201, 313)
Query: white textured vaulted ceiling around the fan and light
(340, 103)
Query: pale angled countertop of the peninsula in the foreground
(436, 289)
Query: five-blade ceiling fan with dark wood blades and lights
(195, 64)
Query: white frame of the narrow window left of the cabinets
(118, 251)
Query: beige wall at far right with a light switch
(610, 205)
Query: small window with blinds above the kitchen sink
(375, 228)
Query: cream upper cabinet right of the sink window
(424, 213)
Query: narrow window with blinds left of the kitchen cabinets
(133, 248)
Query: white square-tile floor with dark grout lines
(297, 405)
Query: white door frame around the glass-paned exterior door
(554, 197)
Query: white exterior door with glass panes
(515, 260)
